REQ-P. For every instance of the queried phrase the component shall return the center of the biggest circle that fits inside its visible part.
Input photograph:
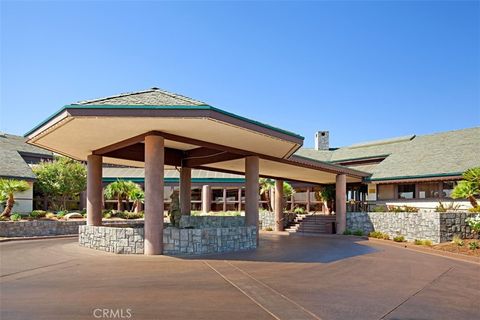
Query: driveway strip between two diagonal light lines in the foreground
(273, 302)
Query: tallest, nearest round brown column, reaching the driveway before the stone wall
(154, 194)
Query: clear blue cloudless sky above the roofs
(362, 69)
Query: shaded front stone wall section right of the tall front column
(209, 240)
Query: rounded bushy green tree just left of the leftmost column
(60, 180)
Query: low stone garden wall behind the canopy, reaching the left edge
(40, 228)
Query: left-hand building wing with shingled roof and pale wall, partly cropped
(16, 160)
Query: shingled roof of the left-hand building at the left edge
(12, 165)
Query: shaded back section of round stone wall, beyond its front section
(200, 222)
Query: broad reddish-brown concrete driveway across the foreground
(289, 277)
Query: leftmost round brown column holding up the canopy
(94, 190)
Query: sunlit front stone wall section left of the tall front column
(112, 239)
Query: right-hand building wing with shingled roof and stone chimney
(413, 170)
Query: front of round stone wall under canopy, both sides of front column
(175, 241)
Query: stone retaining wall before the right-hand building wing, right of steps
(435, 226)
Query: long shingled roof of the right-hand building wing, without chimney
(445, 153)
